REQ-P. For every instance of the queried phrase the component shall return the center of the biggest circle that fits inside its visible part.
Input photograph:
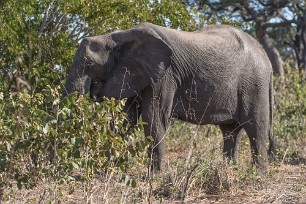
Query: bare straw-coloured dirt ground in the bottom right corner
(287, 186)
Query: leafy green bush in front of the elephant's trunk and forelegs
(45, 138)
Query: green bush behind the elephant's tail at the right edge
(289, 114)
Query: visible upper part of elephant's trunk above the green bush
(77, 81)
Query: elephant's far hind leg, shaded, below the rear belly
(231, 137)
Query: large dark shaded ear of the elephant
(142, 58)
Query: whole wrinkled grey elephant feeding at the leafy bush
(217, 75)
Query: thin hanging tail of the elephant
(272, 149)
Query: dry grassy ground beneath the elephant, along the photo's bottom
(196, 173)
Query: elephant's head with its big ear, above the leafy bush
(119, 64)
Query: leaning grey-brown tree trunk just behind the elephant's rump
(272, 52)
